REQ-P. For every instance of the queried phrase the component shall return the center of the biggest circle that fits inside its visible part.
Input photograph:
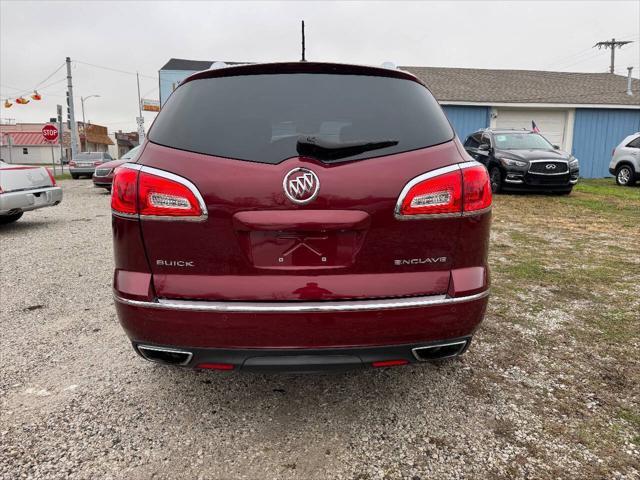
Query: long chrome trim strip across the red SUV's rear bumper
(297, 306)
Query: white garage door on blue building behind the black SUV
(550, 122)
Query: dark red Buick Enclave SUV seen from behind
(300, 217)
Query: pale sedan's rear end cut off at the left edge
(24, 188)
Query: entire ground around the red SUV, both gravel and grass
(545, 391)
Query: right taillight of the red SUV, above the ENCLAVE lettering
(455, 190)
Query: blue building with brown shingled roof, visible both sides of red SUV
(586, 114)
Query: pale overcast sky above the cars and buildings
(121, 38)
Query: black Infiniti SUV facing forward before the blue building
(523, 160)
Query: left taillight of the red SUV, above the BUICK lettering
(150, 192)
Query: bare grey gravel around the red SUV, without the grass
(76, 402)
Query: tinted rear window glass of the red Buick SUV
(260, 117)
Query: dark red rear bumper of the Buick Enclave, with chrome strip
(291, 327)
